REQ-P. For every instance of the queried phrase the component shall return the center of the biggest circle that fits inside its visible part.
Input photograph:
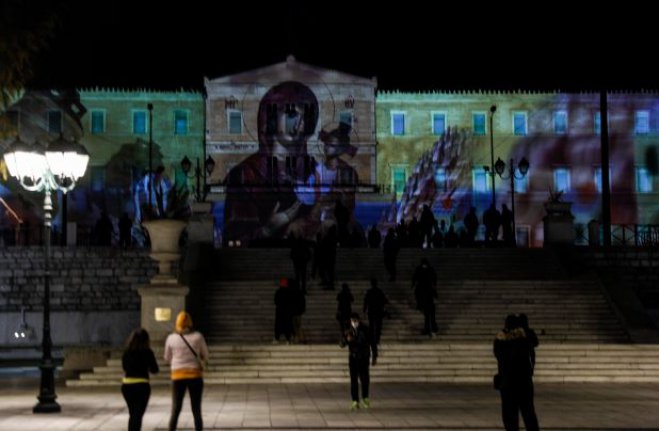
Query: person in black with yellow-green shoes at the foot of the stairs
(360, 346)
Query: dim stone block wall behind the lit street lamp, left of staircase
(94, 296)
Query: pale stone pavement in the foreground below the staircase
(284, 407)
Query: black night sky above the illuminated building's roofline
(422, 46)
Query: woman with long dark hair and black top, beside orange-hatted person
(138, 360)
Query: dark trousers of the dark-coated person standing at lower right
(517, 399)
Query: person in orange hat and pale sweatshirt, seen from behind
(187, 352)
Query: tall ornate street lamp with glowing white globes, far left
(62, 164)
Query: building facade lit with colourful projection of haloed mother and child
(356, 146)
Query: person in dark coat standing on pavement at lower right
(515, 375)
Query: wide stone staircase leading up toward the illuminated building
(582, 338)
